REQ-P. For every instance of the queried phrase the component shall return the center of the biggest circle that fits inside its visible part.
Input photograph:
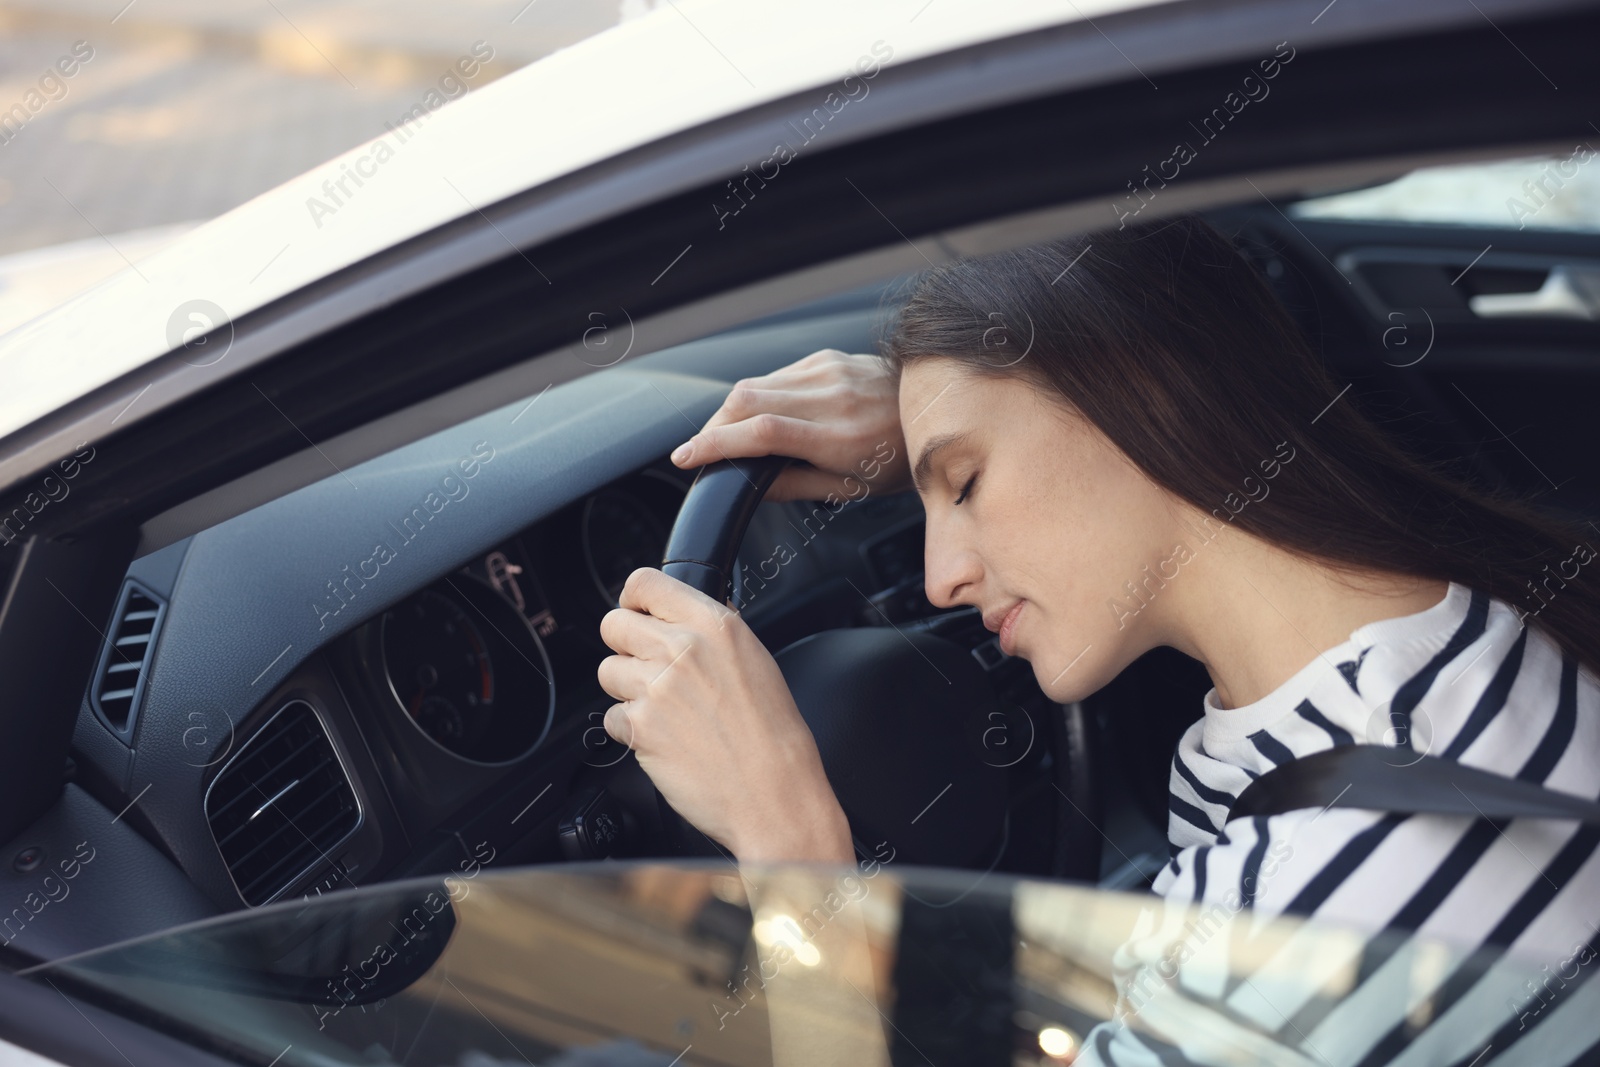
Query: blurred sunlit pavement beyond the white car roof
(190, 108)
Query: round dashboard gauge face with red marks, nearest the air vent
(441, 669)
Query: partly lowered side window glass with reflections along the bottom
(641, 964)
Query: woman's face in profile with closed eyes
(1054, 522)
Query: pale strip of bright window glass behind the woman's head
(1556, 193)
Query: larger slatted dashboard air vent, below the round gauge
(281, 805)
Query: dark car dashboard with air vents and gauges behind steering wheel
(391, 671)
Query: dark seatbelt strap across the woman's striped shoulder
(1374, 778)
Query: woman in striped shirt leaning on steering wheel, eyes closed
(1122, 442)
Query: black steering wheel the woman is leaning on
(905, 717)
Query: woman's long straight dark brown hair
(1167, 340)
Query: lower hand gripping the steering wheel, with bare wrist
(708, 713)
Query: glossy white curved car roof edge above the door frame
(686, 65)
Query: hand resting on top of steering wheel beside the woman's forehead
(838, 412)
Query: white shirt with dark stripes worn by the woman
(1457, 914)
